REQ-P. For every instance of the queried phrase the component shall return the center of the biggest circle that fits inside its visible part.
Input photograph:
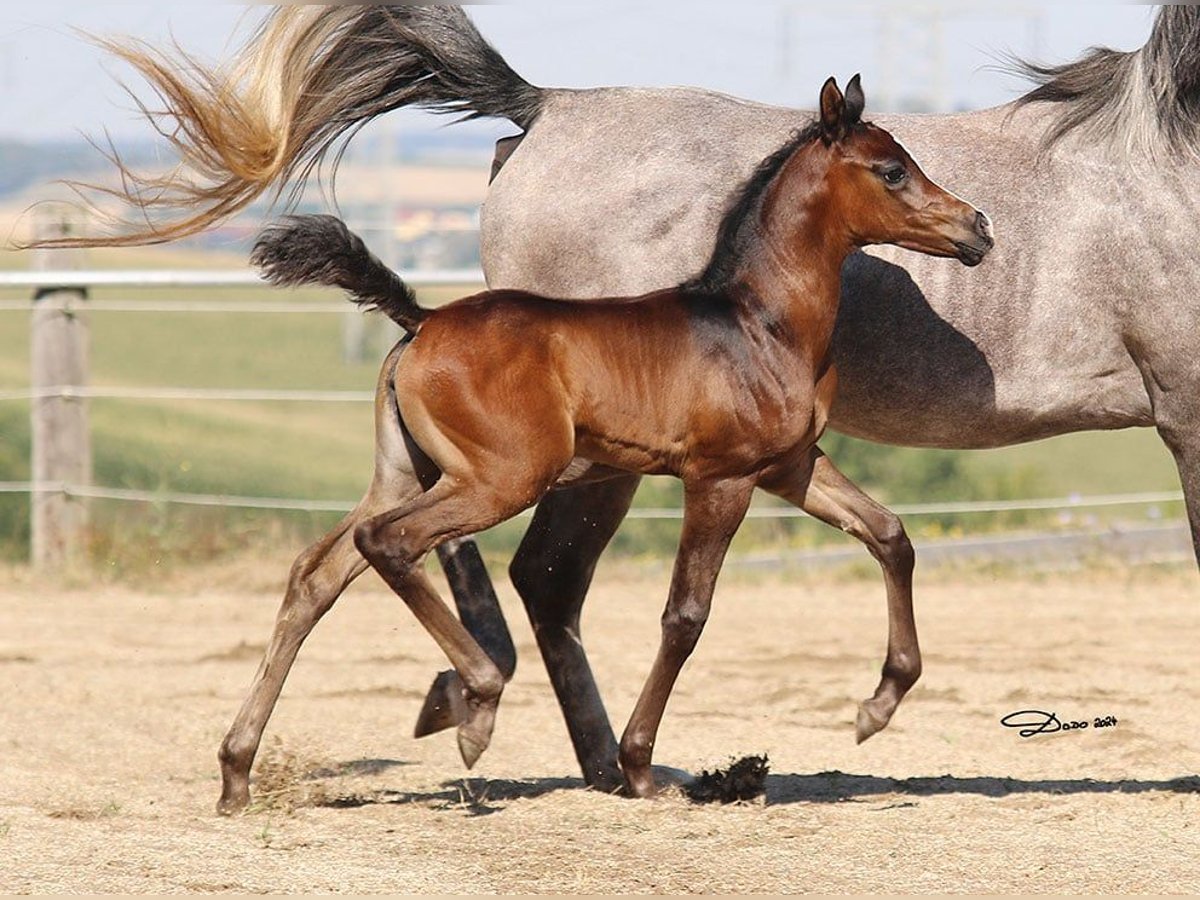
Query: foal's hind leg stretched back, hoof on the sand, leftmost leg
(319, 578)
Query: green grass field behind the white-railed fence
(325, 451)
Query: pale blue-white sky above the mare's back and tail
(57, 86)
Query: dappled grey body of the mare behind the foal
(1049, 340)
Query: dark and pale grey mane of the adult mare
(1145, 100)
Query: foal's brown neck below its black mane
(793, 279)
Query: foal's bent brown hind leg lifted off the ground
(397, 542)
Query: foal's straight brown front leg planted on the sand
(713, 511)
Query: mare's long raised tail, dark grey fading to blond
(303, 87)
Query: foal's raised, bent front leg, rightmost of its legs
(833, 499)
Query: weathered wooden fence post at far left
(61, 437)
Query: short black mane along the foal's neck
(739, 225)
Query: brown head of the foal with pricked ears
(875, 189)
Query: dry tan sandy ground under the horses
(116, 700)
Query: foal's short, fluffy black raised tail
(321, 250)
